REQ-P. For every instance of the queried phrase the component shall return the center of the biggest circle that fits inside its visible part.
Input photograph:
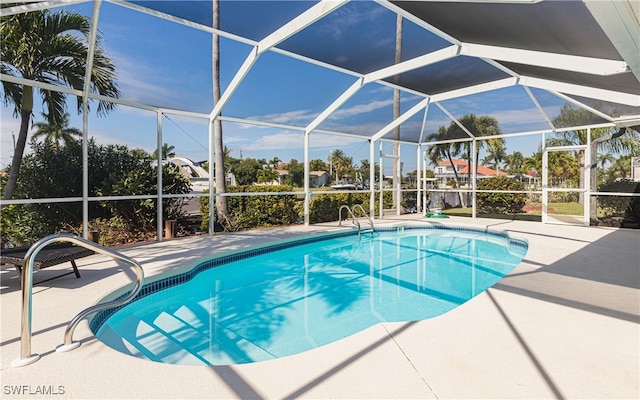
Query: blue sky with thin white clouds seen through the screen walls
(168, 65)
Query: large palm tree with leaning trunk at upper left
(45, 47)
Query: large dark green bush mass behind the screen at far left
(56, 171)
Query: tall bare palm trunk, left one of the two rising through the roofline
(222, 208)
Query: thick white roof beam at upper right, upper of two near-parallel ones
(587, 65)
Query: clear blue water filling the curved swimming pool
(299, 297)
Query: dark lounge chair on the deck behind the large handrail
(48, 256)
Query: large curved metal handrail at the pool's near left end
(26, 357)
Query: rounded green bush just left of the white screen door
(500, 203)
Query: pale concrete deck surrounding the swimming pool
(564, 324)
